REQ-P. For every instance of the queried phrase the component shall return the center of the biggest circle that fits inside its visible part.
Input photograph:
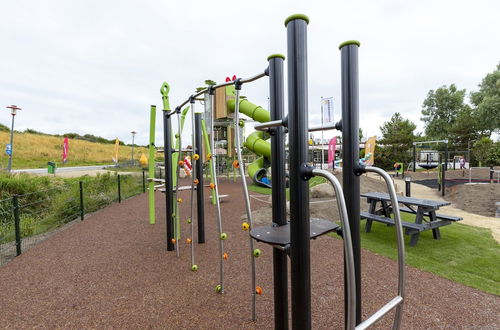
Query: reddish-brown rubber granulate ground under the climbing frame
(112, 271)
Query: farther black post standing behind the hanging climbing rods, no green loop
(200, 199)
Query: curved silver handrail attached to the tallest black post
(348, 253)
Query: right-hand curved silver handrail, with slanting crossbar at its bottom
(399, 299)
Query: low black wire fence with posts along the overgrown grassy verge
(28, 219)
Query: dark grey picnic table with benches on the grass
(424, 210)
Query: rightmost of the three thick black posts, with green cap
(350, 150)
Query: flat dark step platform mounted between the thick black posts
(280, 235)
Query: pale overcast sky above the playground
(94, 67)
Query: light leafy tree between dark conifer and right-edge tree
(441, 109)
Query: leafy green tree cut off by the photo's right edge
(487, 103)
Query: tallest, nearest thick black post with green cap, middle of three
(299, 191)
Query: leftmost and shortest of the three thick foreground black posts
(277, 109)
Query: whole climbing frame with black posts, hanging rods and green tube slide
(289, 239)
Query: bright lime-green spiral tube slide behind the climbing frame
(256, 142)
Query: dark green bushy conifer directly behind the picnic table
(397, 139)
